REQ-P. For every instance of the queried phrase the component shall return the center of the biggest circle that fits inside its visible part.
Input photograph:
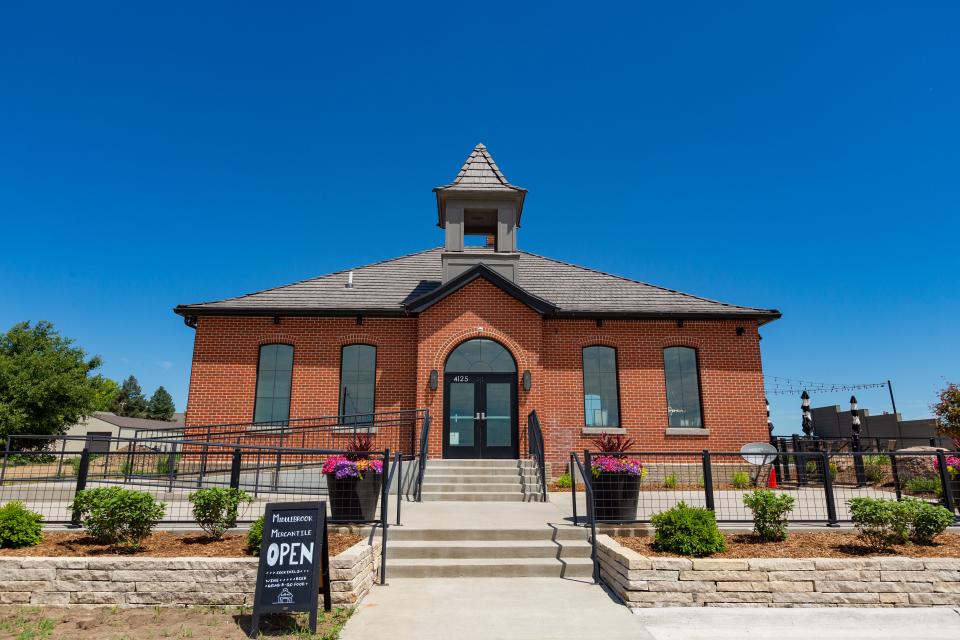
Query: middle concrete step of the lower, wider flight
(460, 549)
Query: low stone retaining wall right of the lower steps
(777, 582)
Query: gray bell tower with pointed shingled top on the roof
(480, 204)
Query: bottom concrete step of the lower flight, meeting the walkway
(490, 568)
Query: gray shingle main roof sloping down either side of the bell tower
(385, 287)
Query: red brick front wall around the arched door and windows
(223, 379)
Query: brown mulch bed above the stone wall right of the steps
(820, 544)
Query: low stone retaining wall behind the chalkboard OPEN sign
(171, 582)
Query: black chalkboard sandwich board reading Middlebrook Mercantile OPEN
(294, 562)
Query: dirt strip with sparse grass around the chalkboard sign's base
(42, 623)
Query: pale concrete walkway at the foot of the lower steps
(475, 608)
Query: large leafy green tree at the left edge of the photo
(46, 383)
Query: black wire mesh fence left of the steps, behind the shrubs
(47, 475)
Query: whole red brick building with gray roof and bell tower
(481, 336)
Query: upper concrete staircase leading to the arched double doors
(481, 481)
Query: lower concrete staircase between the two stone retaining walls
(536, 552)
